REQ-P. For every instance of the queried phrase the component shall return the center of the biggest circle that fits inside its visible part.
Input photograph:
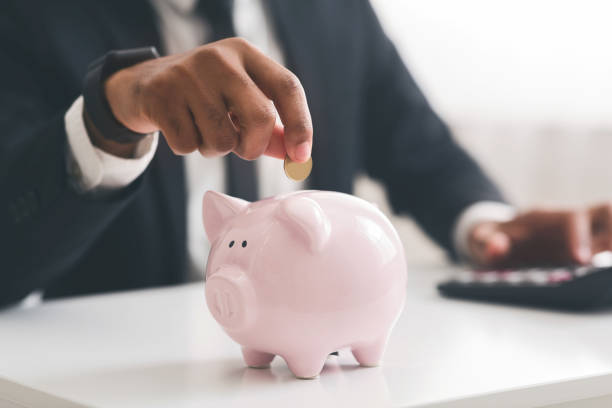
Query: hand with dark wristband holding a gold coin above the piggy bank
(191, 97)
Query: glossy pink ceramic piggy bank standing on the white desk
(302, 275)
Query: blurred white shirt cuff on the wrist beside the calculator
(477, 213)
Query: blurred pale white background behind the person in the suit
(526, 88)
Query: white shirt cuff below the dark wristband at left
(93, 169)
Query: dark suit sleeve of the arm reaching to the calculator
(409, 148)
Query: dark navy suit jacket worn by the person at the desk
(368, 115)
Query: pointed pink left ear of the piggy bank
(217, 209)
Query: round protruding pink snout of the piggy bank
(230, 298)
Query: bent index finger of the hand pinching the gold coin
(285, 90)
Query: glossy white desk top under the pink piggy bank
(161, 348)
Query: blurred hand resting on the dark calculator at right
(543, 237)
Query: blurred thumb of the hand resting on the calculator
(489, 244)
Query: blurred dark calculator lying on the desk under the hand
(570, 287)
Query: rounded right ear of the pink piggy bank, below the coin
(307, 219)
